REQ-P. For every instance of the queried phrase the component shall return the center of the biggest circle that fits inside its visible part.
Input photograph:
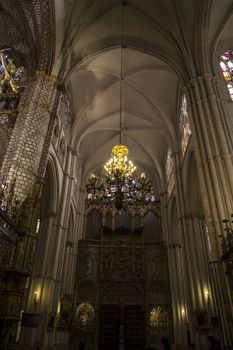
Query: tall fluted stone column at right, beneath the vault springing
(213, 155)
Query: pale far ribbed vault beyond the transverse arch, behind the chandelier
(148, 109)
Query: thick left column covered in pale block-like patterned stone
(22, 161)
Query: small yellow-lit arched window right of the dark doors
(158, 320)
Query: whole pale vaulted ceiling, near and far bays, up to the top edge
(167, 44)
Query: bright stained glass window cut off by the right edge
(226, 64)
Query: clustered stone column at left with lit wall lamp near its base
(50, 284)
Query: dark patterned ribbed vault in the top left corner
(27, 29)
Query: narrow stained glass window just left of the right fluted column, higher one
(184, 125)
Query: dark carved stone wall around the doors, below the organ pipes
(122, 269)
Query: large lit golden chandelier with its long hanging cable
(119, 187)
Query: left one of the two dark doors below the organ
(109, 327)
